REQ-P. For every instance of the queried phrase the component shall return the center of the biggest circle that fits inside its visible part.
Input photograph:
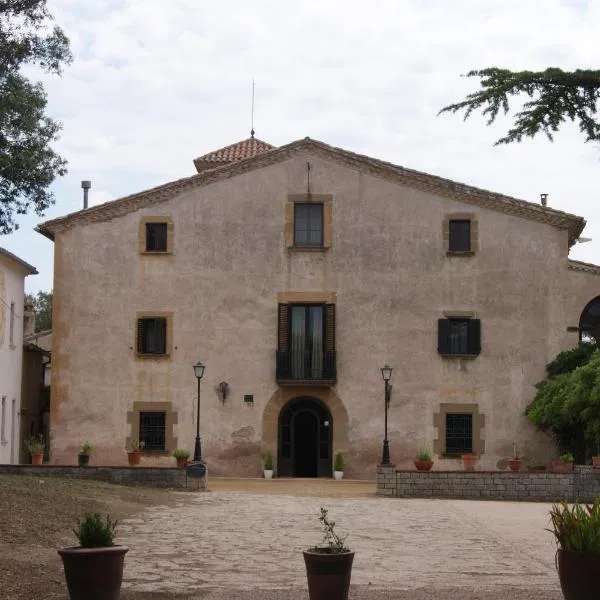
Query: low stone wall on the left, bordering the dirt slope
(148, 476)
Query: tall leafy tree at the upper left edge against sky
(28, 165)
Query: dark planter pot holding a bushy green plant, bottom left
(94, 573)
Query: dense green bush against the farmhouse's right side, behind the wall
(567, 402)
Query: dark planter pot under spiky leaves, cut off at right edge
(579, 574)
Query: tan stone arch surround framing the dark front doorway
(283, 395)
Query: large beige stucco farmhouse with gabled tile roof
(294, 274)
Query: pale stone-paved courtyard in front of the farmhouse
(246, 536)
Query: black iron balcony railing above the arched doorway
(293, 369)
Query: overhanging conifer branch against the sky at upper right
(555, 96)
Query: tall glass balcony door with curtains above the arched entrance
(306, 356)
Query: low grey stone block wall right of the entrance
(582, 485)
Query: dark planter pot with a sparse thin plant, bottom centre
(328, 575)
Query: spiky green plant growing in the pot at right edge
(577, 528)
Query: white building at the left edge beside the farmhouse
(13, 271)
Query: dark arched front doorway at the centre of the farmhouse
(305, 436)
